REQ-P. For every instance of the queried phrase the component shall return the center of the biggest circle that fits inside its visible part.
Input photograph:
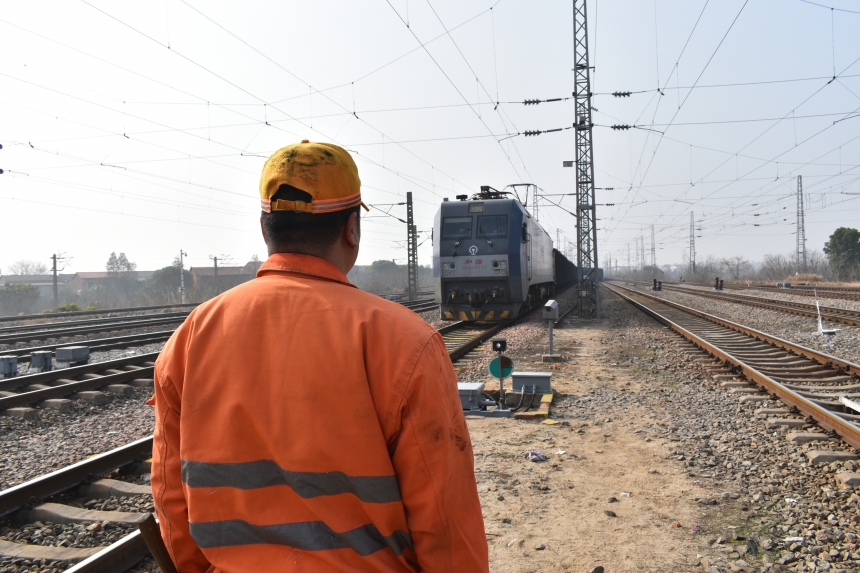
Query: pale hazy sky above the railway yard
(142, 127)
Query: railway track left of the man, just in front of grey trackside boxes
(56, 388)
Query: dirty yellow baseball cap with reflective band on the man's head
(324, 171)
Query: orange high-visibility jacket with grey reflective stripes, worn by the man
(305, 425)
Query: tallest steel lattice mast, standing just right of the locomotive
(586, 214)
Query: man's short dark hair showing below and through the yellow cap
(302, 233)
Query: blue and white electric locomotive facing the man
(491, 259)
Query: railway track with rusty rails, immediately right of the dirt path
(812, 384)
